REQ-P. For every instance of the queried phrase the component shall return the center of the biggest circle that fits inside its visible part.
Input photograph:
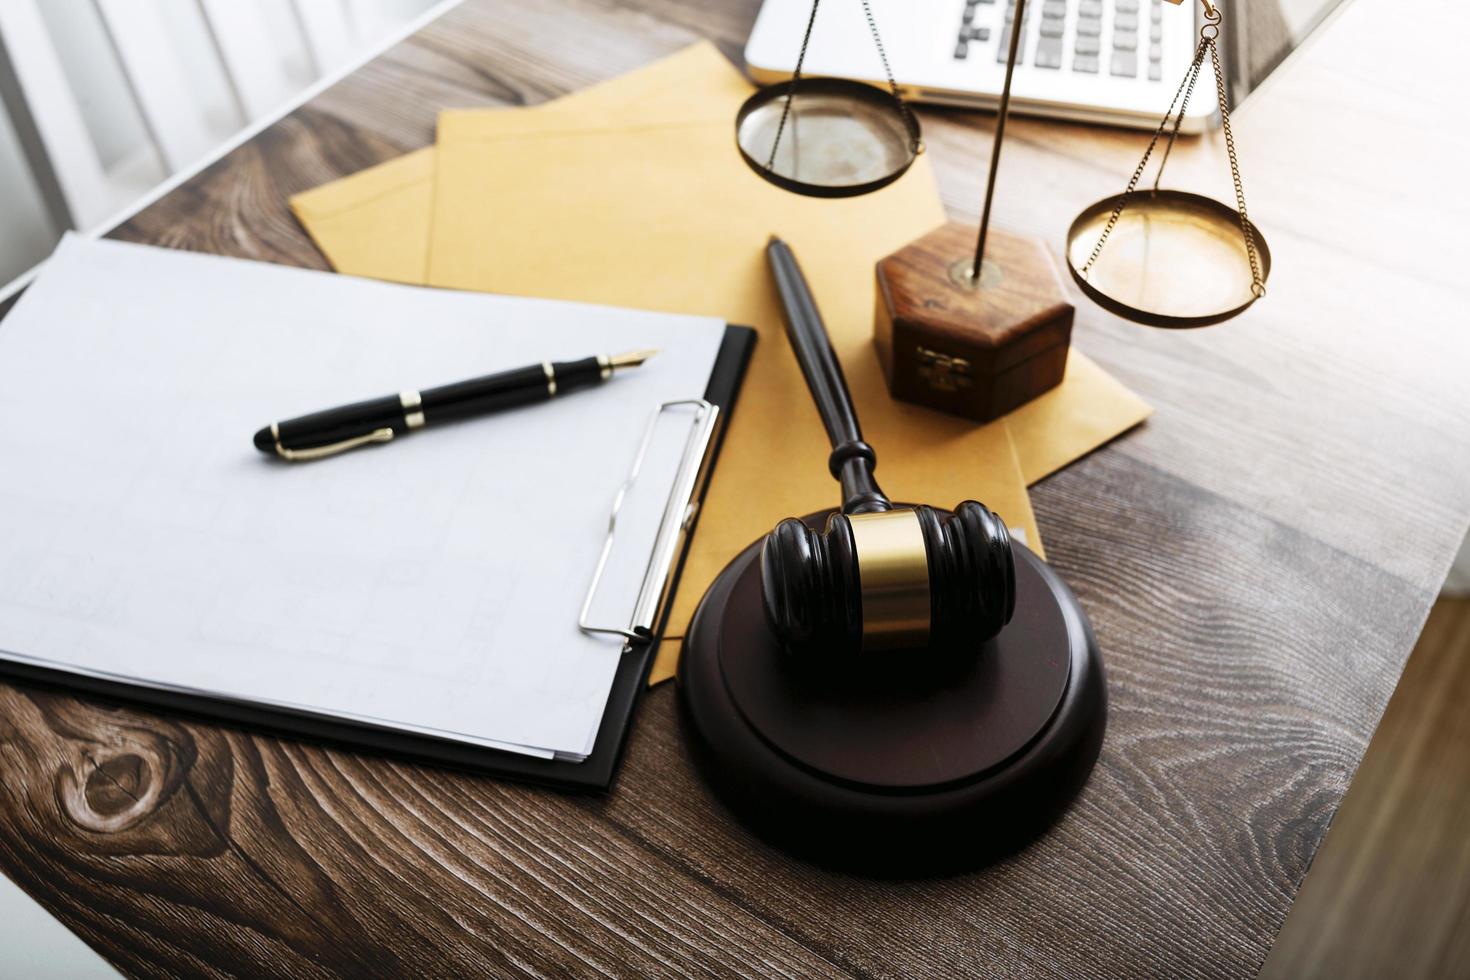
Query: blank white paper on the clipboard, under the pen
(431, 584)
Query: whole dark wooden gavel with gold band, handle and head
(880, 577)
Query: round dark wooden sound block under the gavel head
(896, 766)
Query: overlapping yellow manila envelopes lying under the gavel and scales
(633, 193)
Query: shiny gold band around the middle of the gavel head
(893, 571)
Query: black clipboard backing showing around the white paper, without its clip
(595, 774)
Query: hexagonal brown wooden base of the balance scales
(975, 350)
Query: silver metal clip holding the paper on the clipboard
(674, 527)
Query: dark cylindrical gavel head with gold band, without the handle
(893, 580)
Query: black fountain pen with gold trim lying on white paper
(334, 431)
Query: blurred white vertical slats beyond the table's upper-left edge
(102, 101)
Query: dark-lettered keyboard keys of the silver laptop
(1133, 48)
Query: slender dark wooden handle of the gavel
(852, 461)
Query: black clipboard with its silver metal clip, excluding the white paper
(646, 625)
